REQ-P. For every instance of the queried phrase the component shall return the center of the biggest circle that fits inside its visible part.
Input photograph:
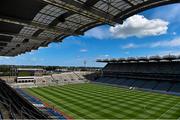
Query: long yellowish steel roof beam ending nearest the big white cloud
(80, 9)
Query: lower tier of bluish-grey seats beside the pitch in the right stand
(164, 86)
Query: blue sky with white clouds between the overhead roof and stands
(152, 32)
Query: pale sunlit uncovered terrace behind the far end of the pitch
(53, 79)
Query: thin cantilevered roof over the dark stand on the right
(167, 58)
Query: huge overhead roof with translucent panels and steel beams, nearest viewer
(26, 25)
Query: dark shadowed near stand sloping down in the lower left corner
(13, 106)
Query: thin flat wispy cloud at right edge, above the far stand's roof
(170, 43)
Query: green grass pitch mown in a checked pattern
(95, 101)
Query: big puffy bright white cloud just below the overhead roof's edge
(139, 26)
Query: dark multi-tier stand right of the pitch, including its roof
(155, 73)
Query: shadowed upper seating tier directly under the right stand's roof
(145, 68)
